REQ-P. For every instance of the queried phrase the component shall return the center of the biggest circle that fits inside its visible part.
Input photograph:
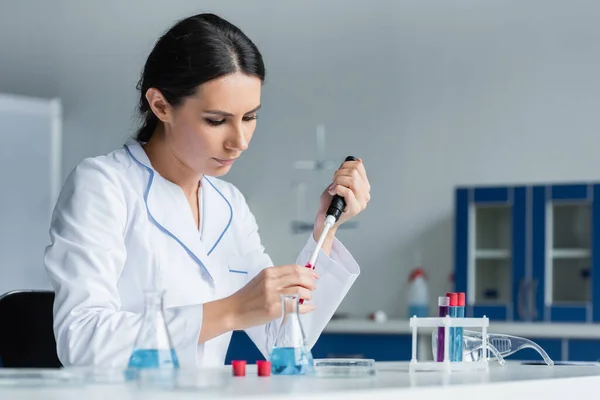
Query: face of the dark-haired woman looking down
(210, 129)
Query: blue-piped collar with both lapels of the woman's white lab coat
(168, 208)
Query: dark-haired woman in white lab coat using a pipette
(153, 215)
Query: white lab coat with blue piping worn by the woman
(119, 228)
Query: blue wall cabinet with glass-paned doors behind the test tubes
(529, 253)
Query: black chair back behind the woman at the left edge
(26, 333)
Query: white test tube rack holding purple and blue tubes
(446, 365)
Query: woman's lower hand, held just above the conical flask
(259, 301)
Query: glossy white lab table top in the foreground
(514, 381)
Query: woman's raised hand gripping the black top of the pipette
(349, 181)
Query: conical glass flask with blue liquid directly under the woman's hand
(290, 354)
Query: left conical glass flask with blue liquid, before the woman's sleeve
(153, 347)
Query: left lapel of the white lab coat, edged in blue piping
(168, 208)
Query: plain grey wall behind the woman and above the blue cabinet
(430, 93)
